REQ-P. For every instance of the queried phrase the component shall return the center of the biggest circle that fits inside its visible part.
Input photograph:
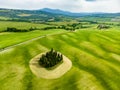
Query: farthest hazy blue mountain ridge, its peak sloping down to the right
(94, 14)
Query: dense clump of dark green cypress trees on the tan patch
(50, 59)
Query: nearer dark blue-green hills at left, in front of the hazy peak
(29, 15)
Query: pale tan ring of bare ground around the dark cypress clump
(59, 71)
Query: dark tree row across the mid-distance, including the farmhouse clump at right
(71, 27)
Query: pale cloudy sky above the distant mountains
(67, 5)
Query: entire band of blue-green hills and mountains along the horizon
(47, 14)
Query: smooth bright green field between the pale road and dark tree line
(8, 39)
